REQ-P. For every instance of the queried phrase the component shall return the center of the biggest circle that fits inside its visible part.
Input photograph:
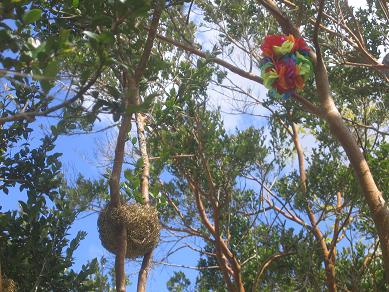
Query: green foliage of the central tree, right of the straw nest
(184, 126)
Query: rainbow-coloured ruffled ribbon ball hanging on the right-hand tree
(286, 66)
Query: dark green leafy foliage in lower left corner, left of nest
(35, 251)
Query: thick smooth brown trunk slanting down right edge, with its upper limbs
(378, 208)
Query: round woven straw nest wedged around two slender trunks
(142, 225)
